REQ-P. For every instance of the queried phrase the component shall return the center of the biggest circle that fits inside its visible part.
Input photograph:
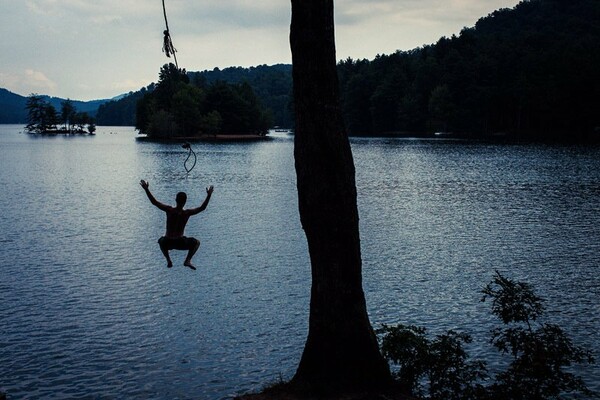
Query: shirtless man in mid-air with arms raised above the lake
(177, 218)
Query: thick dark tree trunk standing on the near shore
(341, 351)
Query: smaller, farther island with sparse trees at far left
(43, 118)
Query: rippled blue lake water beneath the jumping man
(89, 310)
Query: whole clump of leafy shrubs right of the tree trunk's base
(540, 354)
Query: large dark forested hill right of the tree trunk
(532, 71)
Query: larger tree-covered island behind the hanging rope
(183, 110)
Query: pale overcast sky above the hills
(93, 49)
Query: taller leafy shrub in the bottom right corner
(540, 352)
